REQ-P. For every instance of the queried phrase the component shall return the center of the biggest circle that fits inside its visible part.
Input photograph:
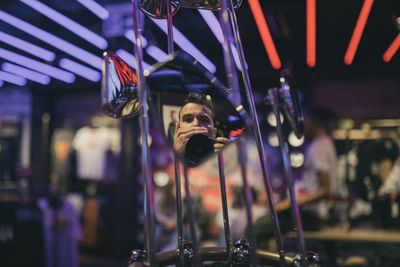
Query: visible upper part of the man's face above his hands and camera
(193, 114)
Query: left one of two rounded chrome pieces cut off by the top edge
(157, 9)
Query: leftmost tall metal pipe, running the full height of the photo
(144, 130)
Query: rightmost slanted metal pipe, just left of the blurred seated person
(273, 96)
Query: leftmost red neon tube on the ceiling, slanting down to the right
(265, 33)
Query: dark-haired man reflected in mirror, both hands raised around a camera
(196, 117)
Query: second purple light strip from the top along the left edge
(27, 47)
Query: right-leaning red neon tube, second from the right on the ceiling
(358, 31)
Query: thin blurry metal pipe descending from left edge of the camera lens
(190, 215)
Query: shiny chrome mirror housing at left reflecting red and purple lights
(119, 96)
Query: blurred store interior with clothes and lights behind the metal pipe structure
(72, 190)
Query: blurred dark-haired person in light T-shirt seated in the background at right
(314, 187)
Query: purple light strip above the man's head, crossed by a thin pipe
(186, 45)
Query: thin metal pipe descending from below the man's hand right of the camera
(225, 207)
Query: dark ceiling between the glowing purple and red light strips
(287, 21)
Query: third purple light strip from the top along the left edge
(38, 66)
